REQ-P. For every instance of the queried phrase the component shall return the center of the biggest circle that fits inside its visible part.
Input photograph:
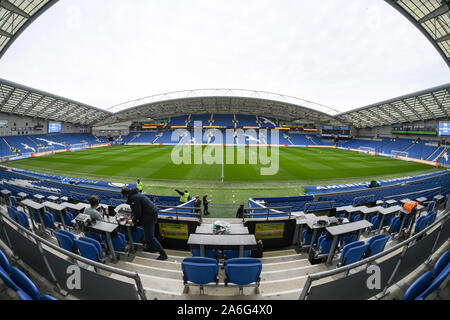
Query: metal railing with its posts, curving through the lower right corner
(314, 277)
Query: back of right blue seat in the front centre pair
(243, 271)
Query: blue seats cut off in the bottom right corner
(430, 280)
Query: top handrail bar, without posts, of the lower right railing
(324, 274)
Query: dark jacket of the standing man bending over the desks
(142, 209)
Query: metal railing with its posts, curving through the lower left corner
(39, 241)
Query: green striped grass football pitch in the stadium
(298, 167)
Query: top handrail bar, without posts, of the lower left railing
(128, 274)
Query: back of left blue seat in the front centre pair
(200, 270)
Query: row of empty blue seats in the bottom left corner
(18, 281)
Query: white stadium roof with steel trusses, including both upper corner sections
(431, 17)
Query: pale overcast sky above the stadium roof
(340, 53)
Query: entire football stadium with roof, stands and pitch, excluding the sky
(252, 195)
